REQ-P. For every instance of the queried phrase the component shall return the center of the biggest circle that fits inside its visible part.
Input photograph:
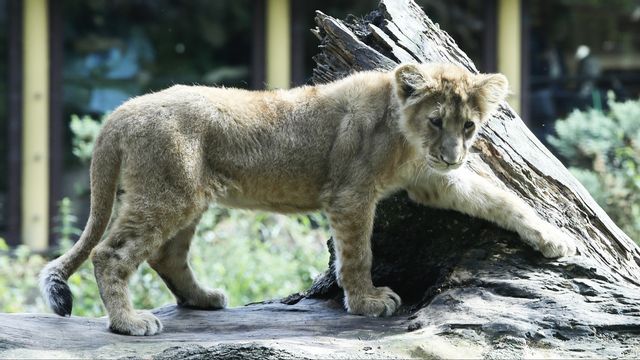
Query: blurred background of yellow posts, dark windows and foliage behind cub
(574, 68)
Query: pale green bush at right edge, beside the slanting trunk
(602, 149)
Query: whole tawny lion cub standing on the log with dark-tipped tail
(339, 147)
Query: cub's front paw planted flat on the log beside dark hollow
(377, 301)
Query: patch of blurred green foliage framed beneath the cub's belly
(258, 255)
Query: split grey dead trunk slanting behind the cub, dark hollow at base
(465, 277)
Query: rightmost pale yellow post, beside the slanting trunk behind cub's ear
(509, 47)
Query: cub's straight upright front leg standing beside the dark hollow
(351, 221)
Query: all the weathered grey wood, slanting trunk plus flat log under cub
(470, 289)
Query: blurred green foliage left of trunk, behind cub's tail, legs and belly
(251, 255)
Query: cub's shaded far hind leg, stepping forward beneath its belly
(172, 264)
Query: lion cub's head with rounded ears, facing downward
(443, 106)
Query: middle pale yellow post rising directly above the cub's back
(278, 47)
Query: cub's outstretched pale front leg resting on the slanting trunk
(471, 194)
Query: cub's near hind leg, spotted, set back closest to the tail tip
(140, 229)
